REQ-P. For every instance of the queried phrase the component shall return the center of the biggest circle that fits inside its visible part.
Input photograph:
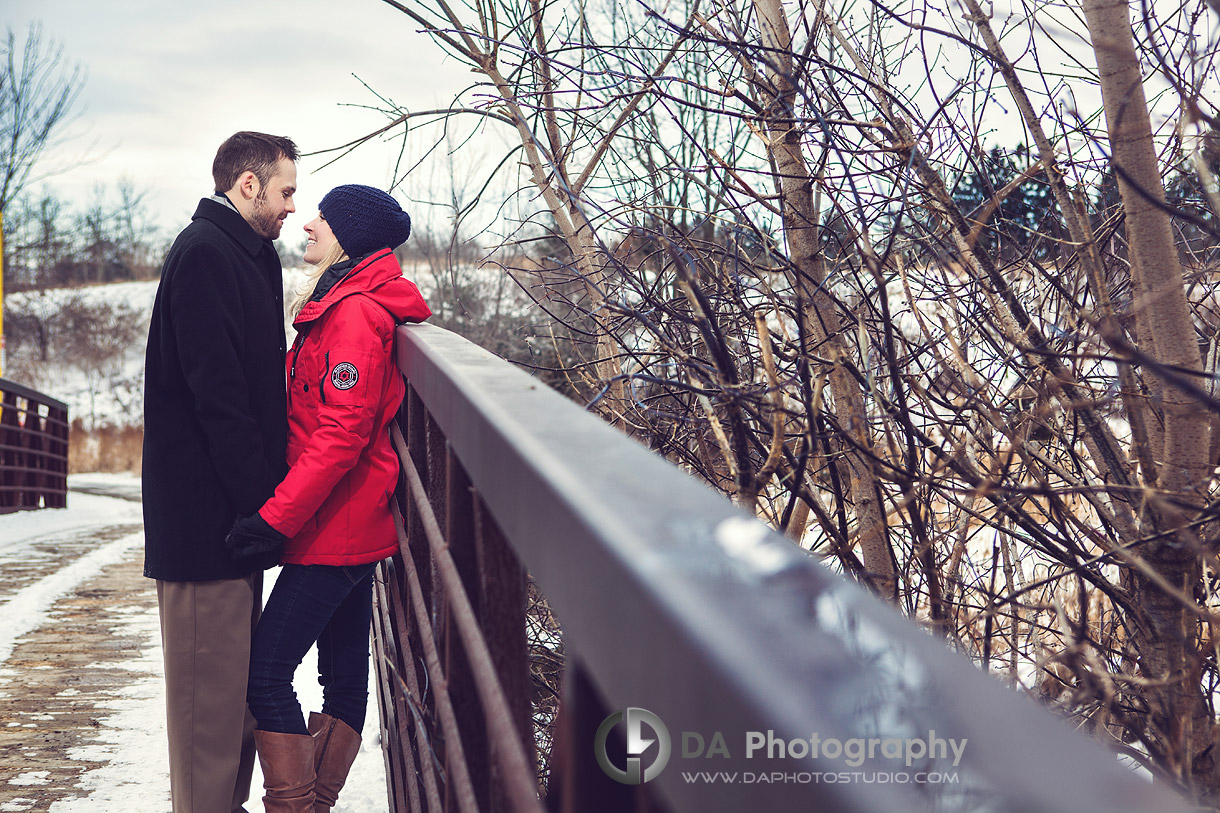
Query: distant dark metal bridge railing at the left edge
(34, 450)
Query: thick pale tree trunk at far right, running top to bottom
(1179, 722)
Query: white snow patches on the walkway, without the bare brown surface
(131, 742)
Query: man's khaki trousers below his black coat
(206, 633)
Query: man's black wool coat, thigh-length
(215, 414)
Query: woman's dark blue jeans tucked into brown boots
(328, 605)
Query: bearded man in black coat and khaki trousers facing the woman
(215, 429)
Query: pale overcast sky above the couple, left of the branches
(169, 81)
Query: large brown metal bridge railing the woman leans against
(775, 684)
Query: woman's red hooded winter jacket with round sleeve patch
(343, 391)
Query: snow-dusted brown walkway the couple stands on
(81, 694)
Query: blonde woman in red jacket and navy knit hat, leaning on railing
(332, 511)
